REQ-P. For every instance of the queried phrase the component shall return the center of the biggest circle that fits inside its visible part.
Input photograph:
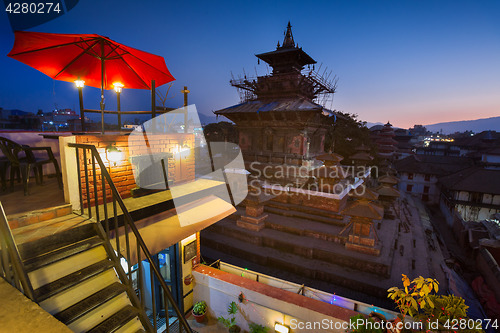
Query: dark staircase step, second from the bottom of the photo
(76, 311)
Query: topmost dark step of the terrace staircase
(55, 241)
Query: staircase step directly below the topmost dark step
(61, 253)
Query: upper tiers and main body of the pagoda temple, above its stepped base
(279, 119)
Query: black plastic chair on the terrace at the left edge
(22, 158)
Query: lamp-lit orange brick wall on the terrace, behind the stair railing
(122, 173)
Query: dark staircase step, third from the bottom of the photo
(70, 280)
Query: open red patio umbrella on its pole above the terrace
(97, 60)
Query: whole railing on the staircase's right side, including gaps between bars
(110, 220)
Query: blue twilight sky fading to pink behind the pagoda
(408, 61)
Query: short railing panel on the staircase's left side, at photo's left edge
(11, 267)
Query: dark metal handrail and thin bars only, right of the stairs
(129, 223)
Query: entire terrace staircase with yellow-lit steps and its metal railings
(76, 275)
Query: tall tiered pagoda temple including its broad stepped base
(319, 224)
